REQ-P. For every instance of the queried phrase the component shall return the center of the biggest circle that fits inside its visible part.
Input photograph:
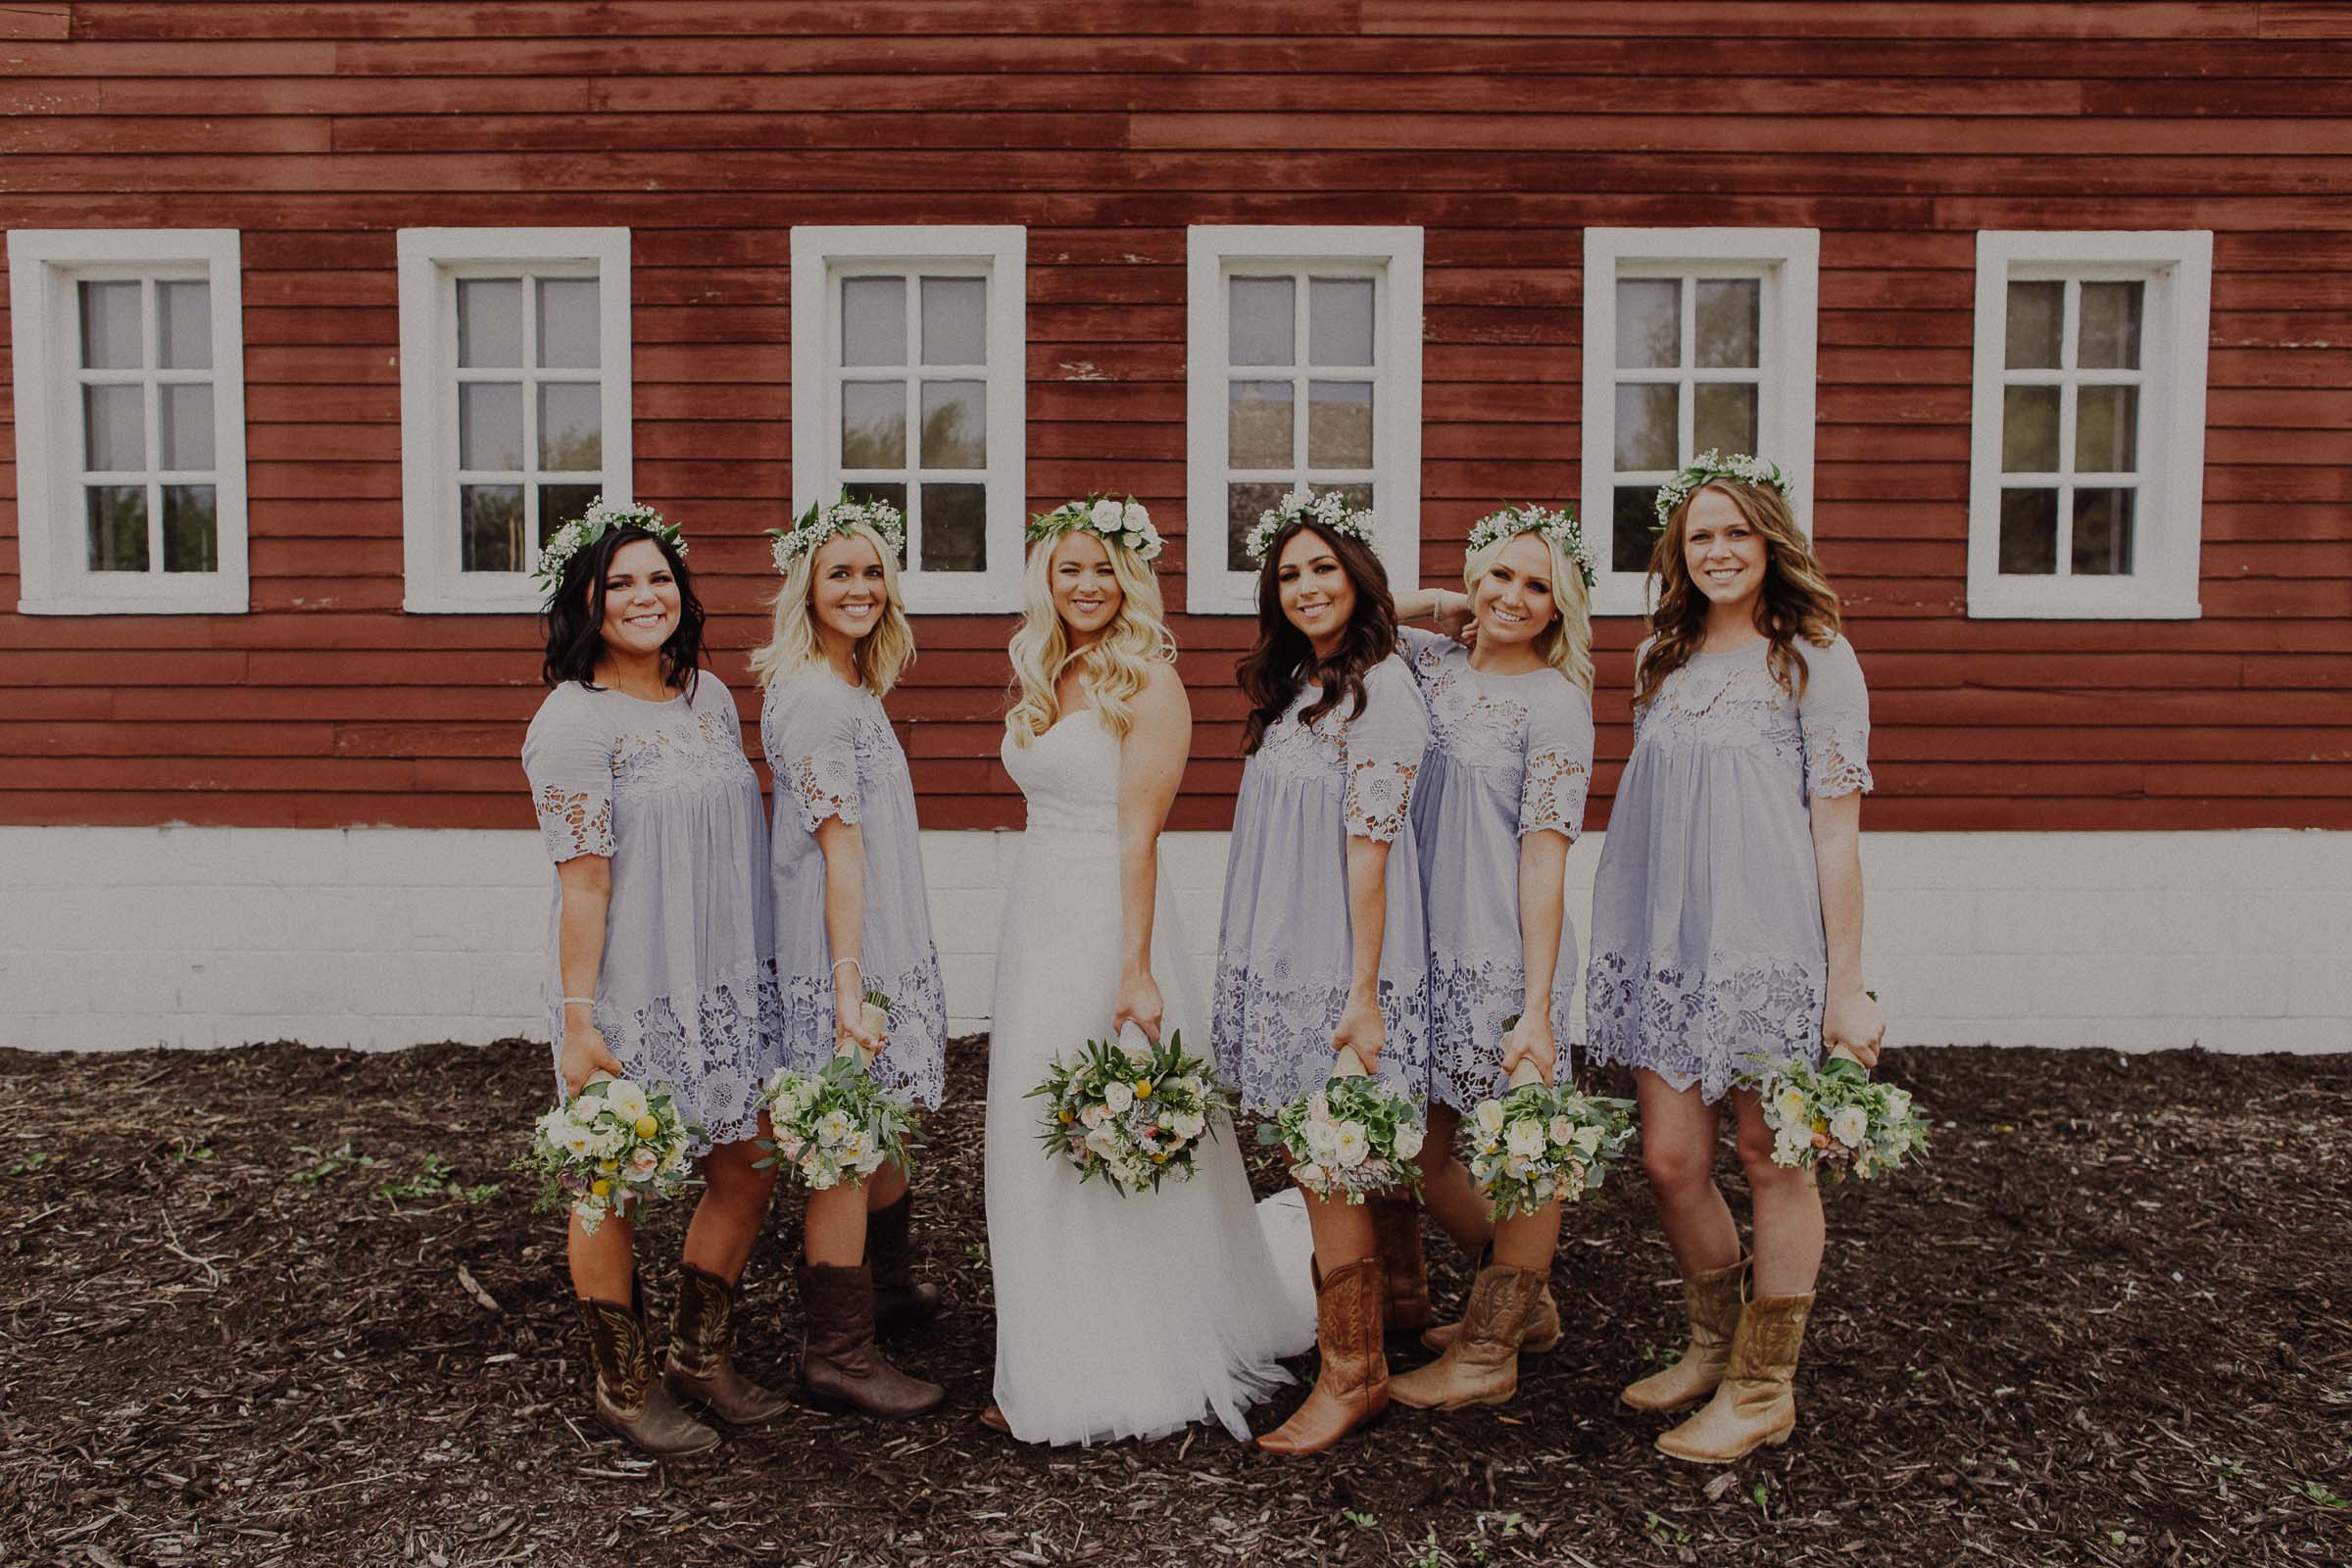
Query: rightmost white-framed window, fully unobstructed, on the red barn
(2087, 436)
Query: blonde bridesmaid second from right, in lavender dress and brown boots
(1499, 803)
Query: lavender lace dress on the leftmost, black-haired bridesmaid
(688, 989)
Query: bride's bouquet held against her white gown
(1132, 1113)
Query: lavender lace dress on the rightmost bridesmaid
(1706, 906)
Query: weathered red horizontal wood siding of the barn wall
(1502, 128)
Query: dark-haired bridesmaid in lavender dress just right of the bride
(1321, 944)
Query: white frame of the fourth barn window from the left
(1394, 260)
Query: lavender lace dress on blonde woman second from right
(1509, 756)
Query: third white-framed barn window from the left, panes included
(911, 387)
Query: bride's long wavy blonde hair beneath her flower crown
(1111, 669)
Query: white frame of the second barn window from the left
(429, 264)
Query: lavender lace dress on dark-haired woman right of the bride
(1283, 951)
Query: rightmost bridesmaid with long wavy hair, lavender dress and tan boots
(1728, 923)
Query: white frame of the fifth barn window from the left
(1789, 316)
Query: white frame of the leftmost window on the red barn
(51, 511)
